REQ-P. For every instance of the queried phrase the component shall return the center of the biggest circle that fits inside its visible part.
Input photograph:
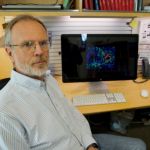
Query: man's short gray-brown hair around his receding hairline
(16, 20)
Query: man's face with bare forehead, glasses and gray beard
(32, 62)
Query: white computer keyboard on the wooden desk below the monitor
(95, 99)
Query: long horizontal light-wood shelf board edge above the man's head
(73, 13)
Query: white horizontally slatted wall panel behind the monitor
(60, 25)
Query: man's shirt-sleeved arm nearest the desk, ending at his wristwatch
(80, 120)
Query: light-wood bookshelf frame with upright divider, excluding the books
(76, 12)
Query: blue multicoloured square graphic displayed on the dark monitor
(100, 57)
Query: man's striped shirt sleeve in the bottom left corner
(12, 134)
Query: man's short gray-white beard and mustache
(29, 69)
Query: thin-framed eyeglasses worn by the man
(31, 45)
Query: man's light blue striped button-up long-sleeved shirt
(36, 115)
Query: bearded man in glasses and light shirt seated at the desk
(34, 114)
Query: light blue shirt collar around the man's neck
(26, 81)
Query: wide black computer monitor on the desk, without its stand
(98, 57)
